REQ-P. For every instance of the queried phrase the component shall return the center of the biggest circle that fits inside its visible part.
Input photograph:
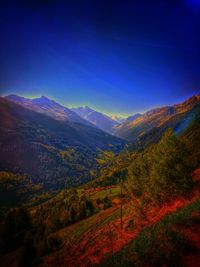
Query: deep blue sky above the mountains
(116, 56)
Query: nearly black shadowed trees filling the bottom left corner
(22, 235)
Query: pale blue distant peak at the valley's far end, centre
(100, 120)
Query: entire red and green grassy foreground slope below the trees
(98, 240)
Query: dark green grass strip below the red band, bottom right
(157, 245)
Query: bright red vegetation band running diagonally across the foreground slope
(108, 238)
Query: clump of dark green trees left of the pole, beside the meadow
(66, 208)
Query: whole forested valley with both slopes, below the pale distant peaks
(74, 195)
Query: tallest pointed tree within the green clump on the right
(170, 173)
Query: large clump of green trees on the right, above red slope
(162, 171)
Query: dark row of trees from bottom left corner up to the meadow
(28, 231)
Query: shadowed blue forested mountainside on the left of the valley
(52, 153)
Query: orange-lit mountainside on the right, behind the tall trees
(150, 126)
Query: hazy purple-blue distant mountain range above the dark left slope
(84, 115)
